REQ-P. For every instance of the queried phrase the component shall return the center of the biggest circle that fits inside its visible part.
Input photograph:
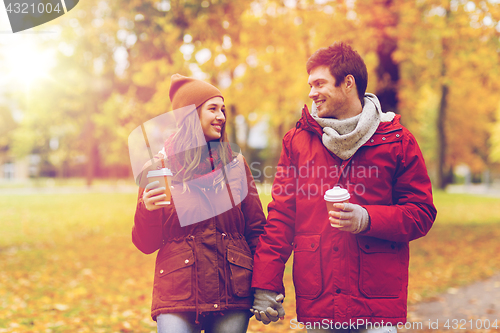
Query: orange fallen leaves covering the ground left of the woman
(92, 287)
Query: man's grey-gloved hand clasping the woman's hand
(267, 306)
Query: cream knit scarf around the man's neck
(344, 137)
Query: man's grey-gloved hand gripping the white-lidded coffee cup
(352, 218)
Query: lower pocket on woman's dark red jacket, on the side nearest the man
(241, 267)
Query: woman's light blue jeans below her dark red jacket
(235, 321)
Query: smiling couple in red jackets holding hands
(350, 265)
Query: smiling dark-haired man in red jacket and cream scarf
(350, 268)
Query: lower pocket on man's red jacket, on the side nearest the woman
(307, 276)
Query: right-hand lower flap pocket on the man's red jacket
(380, 268)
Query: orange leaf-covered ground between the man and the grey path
(451, 256)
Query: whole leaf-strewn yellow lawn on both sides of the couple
(68, 264)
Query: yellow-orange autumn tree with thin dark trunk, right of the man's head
(450, 67)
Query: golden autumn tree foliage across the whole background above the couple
(116, 60)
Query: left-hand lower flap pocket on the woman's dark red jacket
(175, 275)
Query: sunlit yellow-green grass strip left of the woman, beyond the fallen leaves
(50, 218)
